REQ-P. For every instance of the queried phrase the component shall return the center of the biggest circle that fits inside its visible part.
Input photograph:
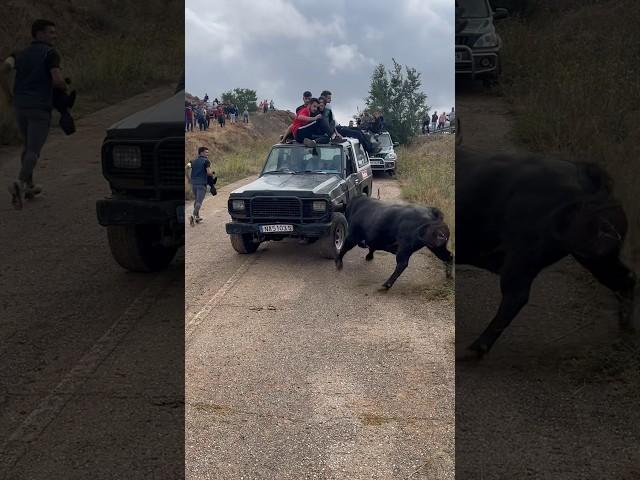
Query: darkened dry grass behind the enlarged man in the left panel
(111, 49)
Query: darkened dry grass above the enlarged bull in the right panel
(585, 98)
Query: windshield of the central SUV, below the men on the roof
(321, 159)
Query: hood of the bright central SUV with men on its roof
(277, 184)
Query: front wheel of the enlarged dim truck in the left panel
(137, 247)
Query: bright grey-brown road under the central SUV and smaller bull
(297, 371)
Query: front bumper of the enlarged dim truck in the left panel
(112, 211)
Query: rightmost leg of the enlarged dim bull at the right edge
(616, 276)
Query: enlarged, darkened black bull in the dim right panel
(516, 215)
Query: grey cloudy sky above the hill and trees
(282, 47)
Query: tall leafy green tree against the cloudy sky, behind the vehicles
(397, 95)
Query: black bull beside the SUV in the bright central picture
(398, 229)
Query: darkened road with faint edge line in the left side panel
(85, 346)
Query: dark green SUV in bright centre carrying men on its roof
(302, 192)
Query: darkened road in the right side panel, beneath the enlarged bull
(557, 396)
